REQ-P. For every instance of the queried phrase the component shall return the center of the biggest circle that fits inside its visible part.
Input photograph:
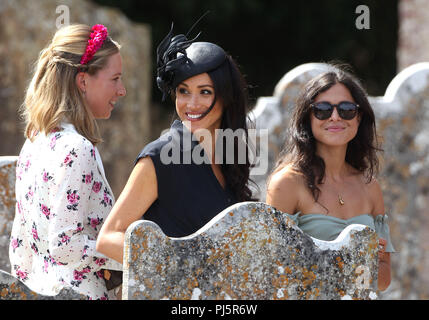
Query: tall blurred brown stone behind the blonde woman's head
(27, 26)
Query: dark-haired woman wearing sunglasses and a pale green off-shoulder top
(324, 178)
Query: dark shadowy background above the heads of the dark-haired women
(270, 37)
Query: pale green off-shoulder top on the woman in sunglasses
(327, 228)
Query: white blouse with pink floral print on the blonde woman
(62, 199)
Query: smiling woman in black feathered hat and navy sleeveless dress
(187, 176)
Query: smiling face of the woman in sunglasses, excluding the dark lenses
(334, 131)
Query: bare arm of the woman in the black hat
(138, 195)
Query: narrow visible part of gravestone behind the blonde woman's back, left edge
(7, 207)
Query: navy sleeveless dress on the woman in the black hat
(189, 194)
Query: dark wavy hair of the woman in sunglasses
(300, 148)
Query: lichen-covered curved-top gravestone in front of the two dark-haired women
(249, 251)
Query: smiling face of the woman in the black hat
(194, 96)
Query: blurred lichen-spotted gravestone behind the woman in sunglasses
(402, 118)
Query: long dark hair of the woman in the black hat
(231, 89)
